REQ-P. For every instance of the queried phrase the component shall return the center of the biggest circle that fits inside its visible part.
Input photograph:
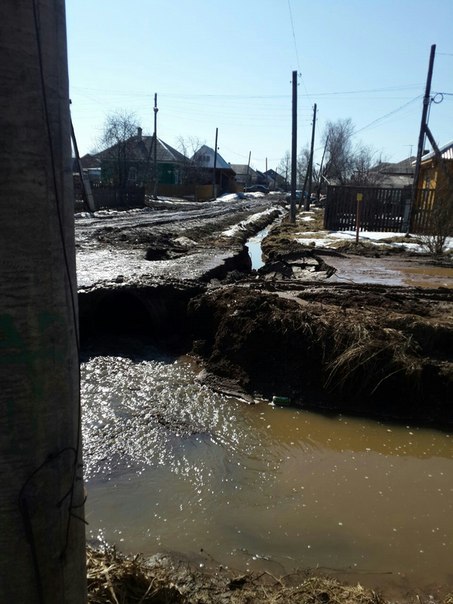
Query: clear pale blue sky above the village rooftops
(227, 64)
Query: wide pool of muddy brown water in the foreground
(172, 466)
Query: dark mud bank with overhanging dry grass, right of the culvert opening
(364, 349)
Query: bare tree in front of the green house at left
(118, 137)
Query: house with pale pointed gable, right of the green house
(222, 175)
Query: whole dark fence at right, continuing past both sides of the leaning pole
(377, 209)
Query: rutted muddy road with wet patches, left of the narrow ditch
(180, 241)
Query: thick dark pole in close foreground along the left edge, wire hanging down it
(42, 531)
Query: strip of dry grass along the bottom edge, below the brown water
(117, 579)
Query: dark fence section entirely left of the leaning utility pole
(380, 209)
